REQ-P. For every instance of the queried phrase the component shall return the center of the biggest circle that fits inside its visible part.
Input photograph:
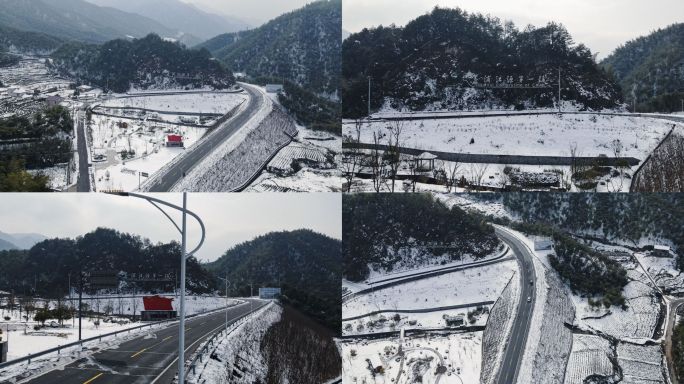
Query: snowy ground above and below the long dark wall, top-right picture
(538, 135)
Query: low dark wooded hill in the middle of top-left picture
(147, 63)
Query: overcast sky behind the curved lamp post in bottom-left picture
(229, 218)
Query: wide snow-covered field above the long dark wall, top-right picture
(540, 135)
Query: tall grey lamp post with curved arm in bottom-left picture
(184, 257)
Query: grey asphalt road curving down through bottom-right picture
(514, 351)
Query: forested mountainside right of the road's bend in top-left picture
(302, 46)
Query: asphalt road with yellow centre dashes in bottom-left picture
(145, 359)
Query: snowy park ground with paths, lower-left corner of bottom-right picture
(413, 359)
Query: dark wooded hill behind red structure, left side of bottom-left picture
(48, 265)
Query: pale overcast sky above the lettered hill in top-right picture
(602, 25)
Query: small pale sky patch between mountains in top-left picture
(255, 12)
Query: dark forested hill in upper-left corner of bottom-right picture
(382, 231)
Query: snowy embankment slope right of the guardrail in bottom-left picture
(238, 350)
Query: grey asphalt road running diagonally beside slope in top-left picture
(175, 173)
